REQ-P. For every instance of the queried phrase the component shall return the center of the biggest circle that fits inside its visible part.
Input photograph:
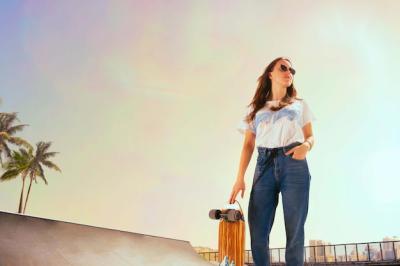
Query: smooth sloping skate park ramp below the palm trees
(28, 240)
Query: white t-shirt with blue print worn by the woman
(278, 128)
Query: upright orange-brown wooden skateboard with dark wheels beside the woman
(231, 235)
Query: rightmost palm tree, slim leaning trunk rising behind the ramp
(35, 168)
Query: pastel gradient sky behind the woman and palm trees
(142, 100)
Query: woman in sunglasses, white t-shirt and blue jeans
(279, 125)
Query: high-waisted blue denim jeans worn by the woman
(276, 172)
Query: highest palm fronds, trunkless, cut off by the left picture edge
(7, 130)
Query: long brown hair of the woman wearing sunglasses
(264, 92)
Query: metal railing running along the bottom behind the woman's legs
(351, 253)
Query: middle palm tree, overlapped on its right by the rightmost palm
(18, 165)
